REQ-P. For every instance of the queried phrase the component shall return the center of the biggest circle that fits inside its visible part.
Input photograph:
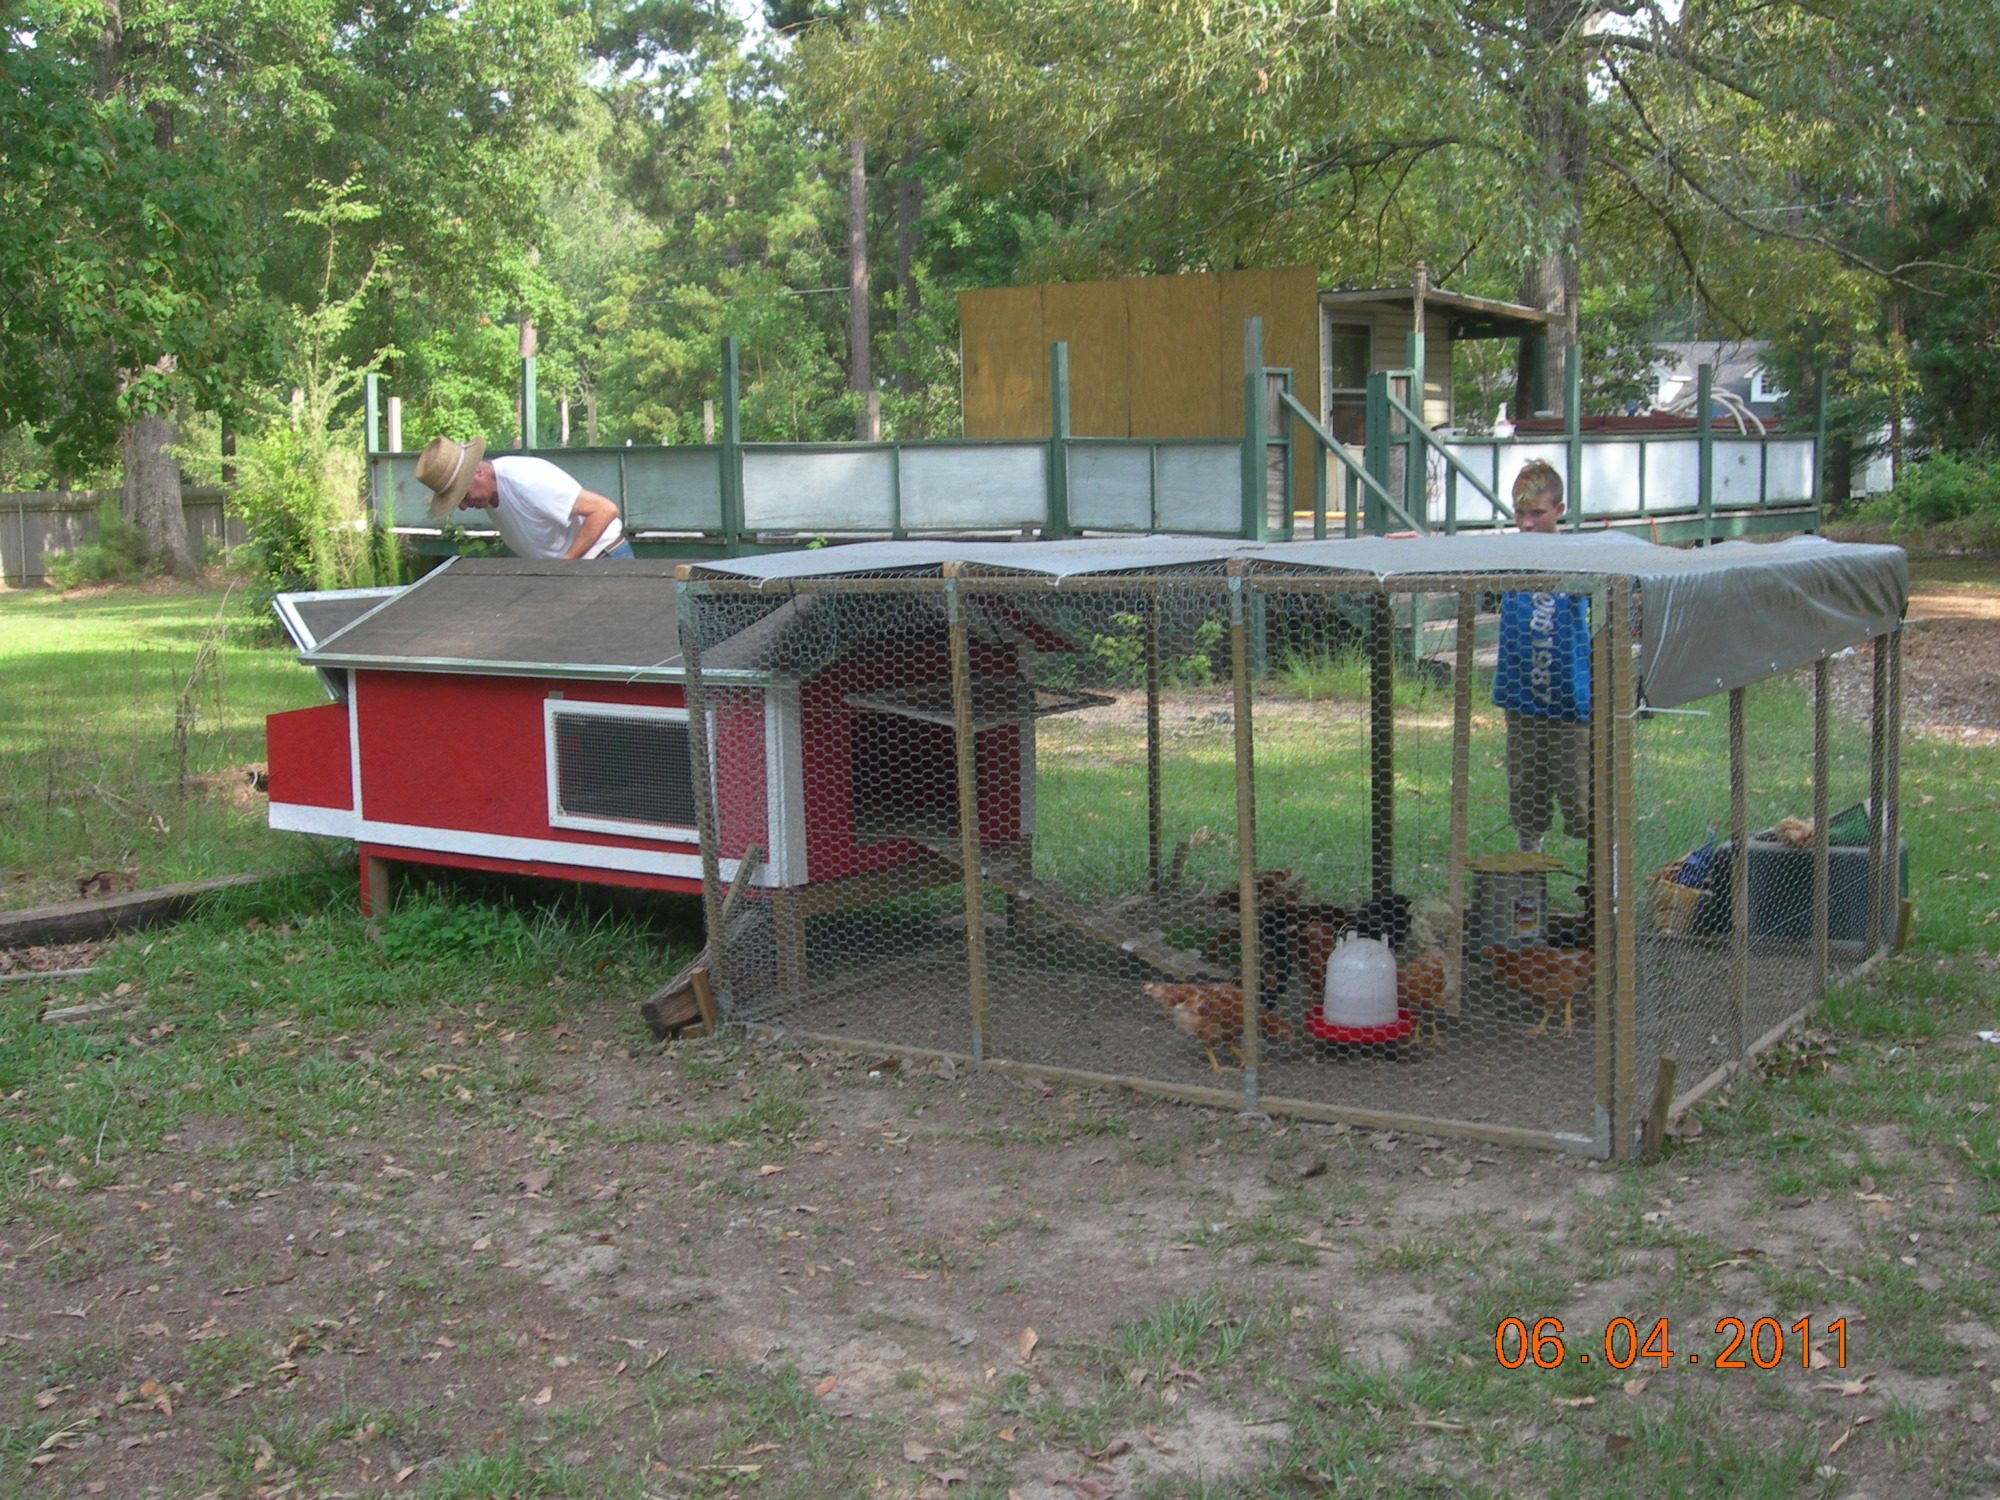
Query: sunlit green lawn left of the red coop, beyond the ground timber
(93, 771)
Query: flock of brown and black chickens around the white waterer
(1297, 939)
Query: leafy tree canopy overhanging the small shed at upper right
(1513, 145)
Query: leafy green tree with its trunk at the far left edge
(125, 267)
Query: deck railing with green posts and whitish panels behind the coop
(731, 497)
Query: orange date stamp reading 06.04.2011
(1737, 1345)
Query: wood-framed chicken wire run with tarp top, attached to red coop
(1089, 797)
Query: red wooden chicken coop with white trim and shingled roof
(531, 719)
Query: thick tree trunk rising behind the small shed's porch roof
(1559, 145)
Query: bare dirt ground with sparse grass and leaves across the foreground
(735, 1267)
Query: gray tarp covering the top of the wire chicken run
(1711, 619)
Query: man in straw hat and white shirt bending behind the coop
(539, 511)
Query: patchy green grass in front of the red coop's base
(253, 1009)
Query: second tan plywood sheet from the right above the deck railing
(1173, 363)
